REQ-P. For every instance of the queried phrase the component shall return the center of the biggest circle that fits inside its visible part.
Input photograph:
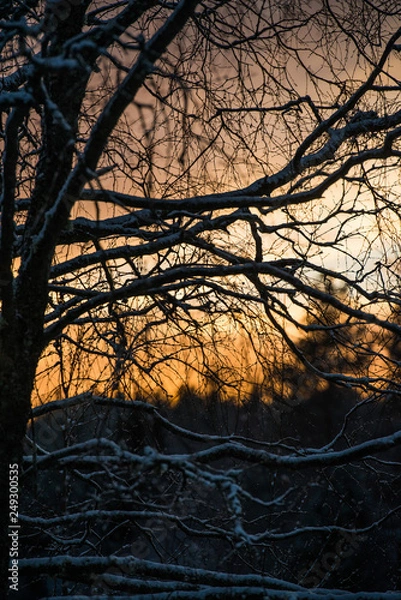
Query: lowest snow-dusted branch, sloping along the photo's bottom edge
(213, 584)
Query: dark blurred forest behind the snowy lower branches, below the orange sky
(347, 516)
